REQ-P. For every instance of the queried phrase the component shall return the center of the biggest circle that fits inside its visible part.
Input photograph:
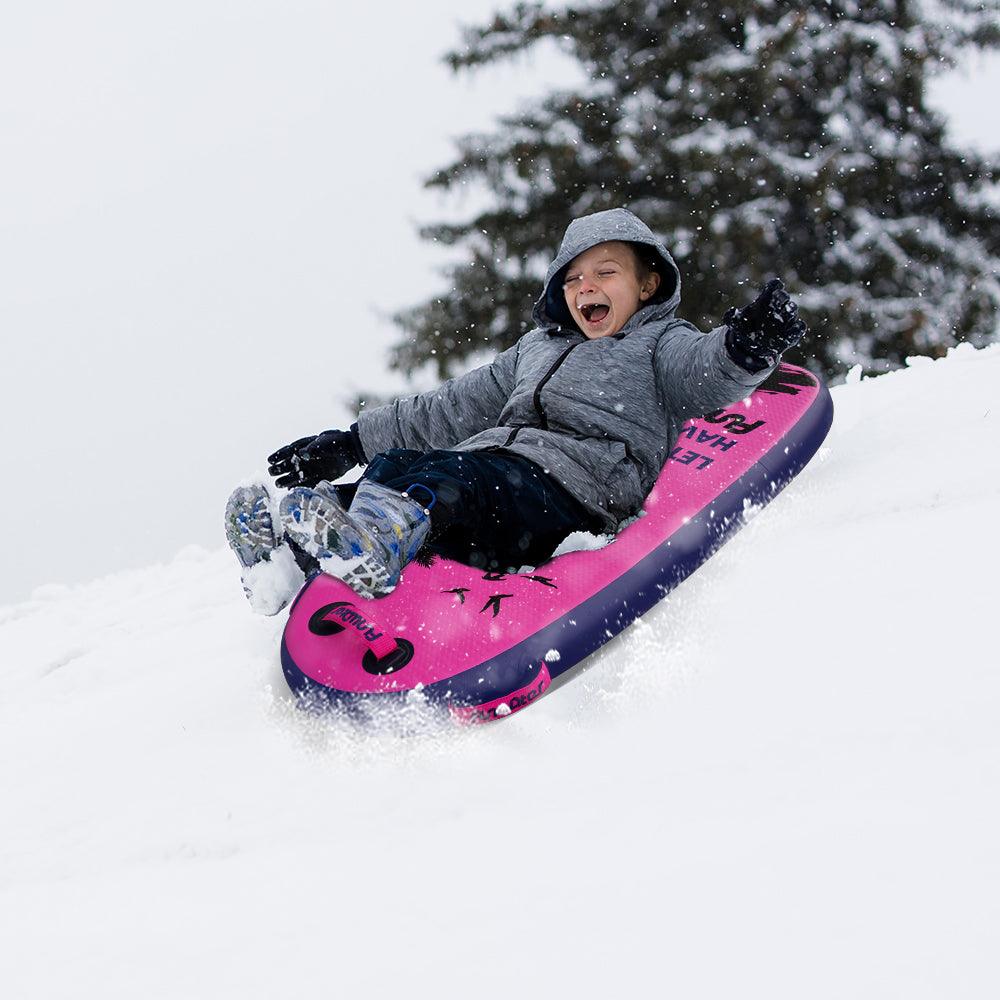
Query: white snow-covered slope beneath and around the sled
(782, 782)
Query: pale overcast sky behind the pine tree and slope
(208, 212)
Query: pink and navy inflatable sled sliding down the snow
(489, 644)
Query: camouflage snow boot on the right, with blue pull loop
(367, 545)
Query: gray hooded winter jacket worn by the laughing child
(600, 416)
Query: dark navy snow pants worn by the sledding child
(493, 510)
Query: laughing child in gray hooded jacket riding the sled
(565, 431)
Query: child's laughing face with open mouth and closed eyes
(603, 288)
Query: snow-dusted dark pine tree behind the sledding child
(758, 138)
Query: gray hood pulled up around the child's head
(601, 227)
